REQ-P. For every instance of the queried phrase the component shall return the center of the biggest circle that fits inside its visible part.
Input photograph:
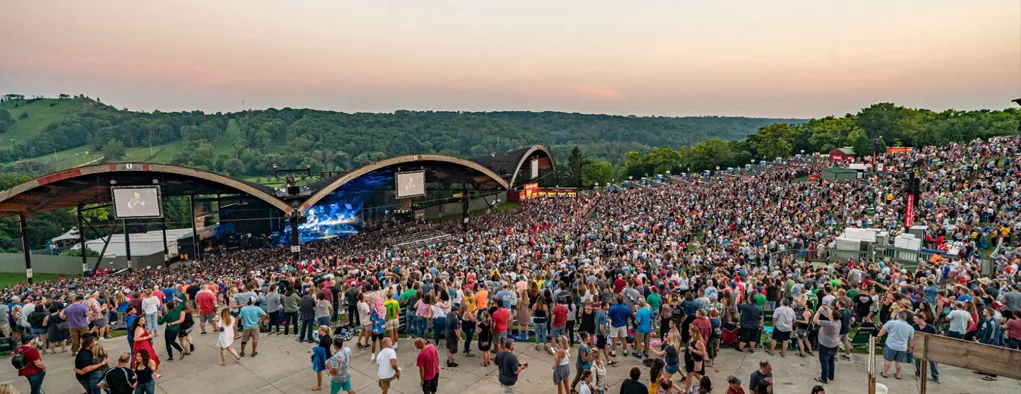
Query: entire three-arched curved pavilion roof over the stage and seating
(89, 185)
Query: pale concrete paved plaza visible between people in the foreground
(283, 367)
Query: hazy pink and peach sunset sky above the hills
(756, 59)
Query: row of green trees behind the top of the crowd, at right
(871, 130)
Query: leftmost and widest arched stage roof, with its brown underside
(88, 185)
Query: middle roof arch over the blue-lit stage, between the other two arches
(439, 168)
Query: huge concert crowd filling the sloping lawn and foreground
(667, 274)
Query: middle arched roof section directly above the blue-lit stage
(485, 175)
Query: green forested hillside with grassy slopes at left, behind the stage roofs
(42, 135)
